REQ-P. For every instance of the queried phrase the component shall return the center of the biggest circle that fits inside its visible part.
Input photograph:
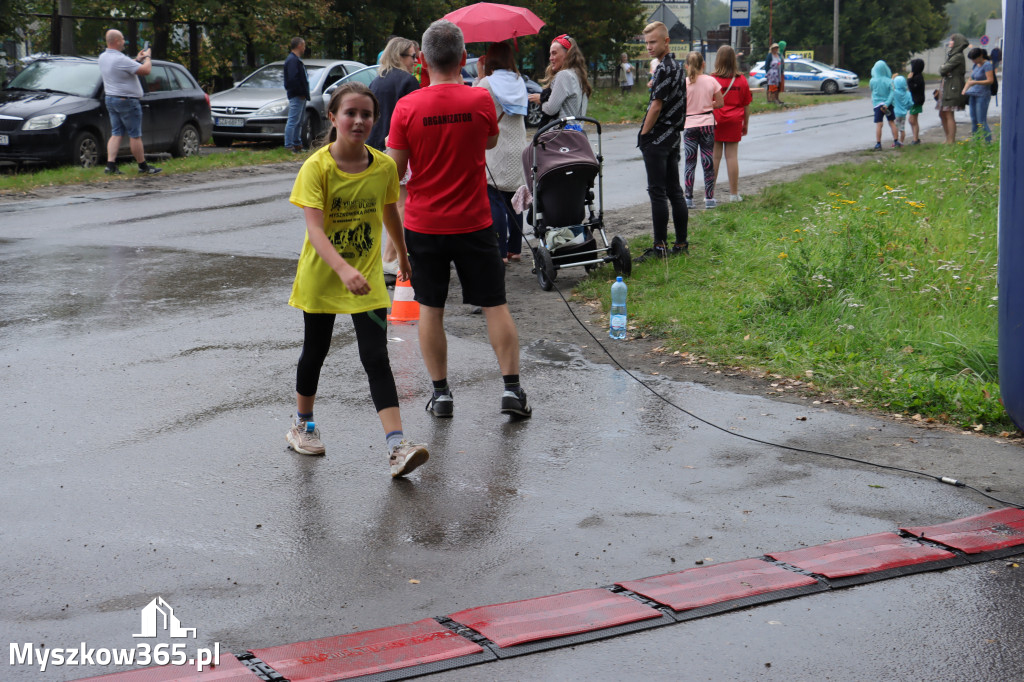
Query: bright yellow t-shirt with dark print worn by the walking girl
(354, 219)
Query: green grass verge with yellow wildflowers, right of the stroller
(876, 282)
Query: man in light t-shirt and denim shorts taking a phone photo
(123, 95)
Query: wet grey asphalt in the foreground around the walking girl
(148, 359)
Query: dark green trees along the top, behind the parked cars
(239, 35)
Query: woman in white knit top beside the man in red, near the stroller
(504, 163)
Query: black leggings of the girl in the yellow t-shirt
(371, 337)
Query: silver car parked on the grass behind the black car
(257, 109)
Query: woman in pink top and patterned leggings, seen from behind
(704, 96)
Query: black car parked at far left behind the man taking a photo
(55, 111)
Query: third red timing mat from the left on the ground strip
(557, 616)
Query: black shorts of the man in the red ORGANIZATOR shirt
(478, 263)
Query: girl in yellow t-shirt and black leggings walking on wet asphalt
(347, 190)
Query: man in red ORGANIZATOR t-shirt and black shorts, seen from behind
(443, 132)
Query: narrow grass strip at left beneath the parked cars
(32, 179)
